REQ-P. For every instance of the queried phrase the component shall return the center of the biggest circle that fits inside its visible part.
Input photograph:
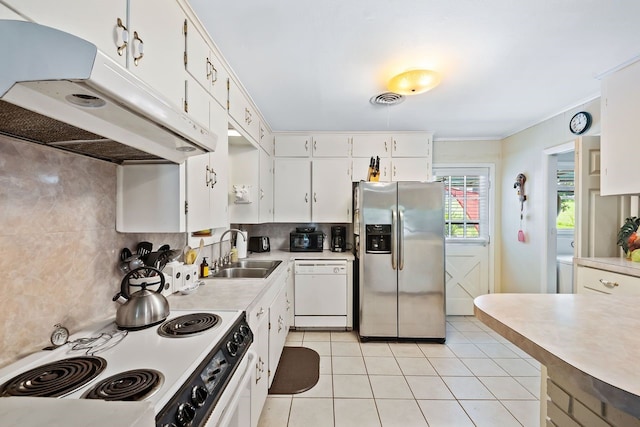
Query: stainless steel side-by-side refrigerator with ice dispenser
(400, 251)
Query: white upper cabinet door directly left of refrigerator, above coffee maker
(331, 180)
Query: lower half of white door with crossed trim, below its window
(467, 276)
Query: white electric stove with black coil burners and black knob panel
(184, 377)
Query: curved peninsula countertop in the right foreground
(592, 339)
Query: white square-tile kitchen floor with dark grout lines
(476, 379)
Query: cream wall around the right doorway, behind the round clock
(523, 153)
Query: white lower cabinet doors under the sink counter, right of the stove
(268, 322)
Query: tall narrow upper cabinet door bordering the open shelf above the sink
(219, 168)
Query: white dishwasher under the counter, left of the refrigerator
(320, 294)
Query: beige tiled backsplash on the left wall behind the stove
(60, 246)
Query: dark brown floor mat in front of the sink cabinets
(298, 371)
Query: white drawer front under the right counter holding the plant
(593, 280)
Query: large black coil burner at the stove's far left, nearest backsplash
(55, 379)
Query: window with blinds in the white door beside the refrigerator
(466, 203)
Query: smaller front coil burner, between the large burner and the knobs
(133, 385)
